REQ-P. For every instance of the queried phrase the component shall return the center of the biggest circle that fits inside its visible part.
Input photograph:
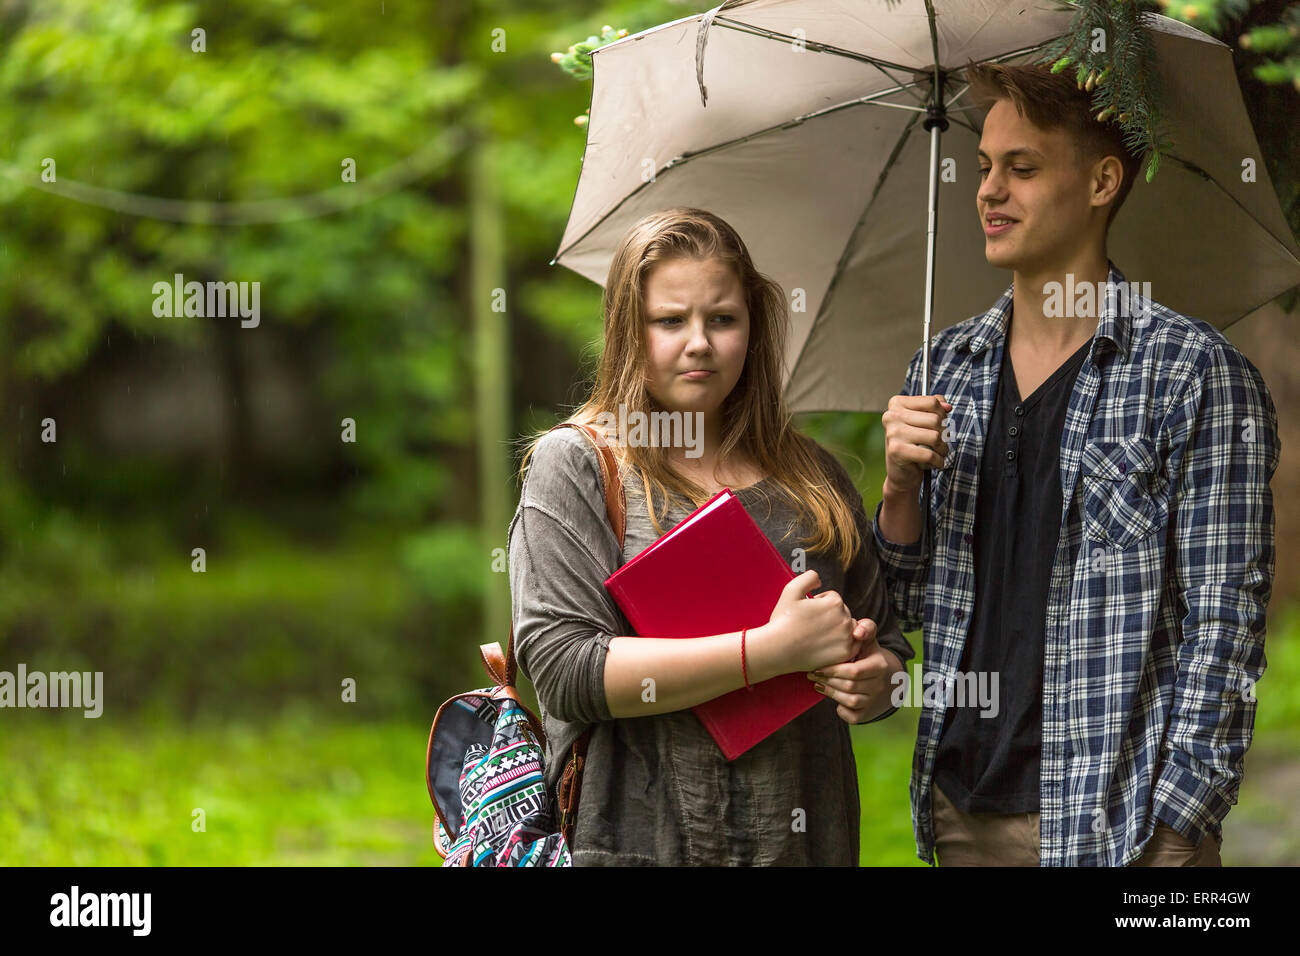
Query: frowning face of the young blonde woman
(696, 319)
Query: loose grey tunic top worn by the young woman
(657, 790)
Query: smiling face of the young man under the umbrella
(1035, 179)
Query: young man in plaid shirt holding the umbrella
(1102, 529)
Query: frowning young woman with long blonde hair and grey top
(691, 326)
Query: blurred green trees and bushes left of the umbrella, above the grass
(222, 157)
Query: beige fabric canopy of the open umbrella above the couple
(801, 124)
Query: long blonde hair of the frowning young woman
(755, 417)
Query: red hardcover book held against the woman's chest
(716, 573)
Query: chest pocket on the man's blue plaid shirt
(1123, 492)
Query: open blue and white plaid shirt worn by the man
(1154, 637)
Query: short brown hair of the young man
(1054, 101)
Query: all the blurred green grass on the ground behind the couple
(300, 791)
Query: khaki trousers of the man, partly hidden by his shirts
(1002, 840)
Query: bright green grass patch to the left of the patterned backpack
(287, 793)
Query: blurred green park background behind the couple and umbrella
(331, 560)
